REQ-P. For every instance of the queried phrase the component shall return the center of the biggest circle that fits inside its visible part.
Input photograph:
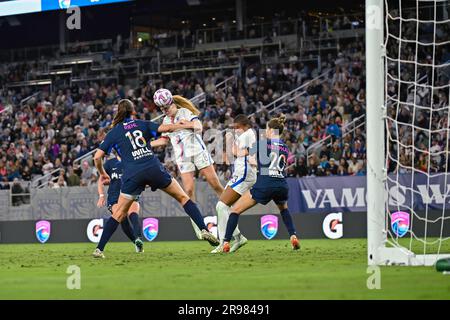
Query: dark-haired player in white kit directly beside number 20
(244, 177)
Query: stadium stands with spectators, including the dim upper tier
(54, 112)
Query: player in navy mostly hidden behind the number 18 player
(113, 167)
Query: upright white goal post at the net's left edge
(375, 128)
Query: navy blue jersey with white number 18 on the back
(131, 140)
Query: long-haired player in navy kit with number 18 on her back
(140, 168)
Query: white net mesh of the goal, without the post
(417, 73)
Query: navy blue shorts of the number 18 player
(155, 177)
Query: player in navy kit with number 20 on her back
(272, 154)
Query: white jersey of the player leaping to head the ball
(186, 144)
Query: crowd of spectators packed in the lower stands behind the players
(49, 131)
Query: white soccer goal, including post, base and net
(408, 73)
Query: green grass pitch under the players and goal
(323, 269)
